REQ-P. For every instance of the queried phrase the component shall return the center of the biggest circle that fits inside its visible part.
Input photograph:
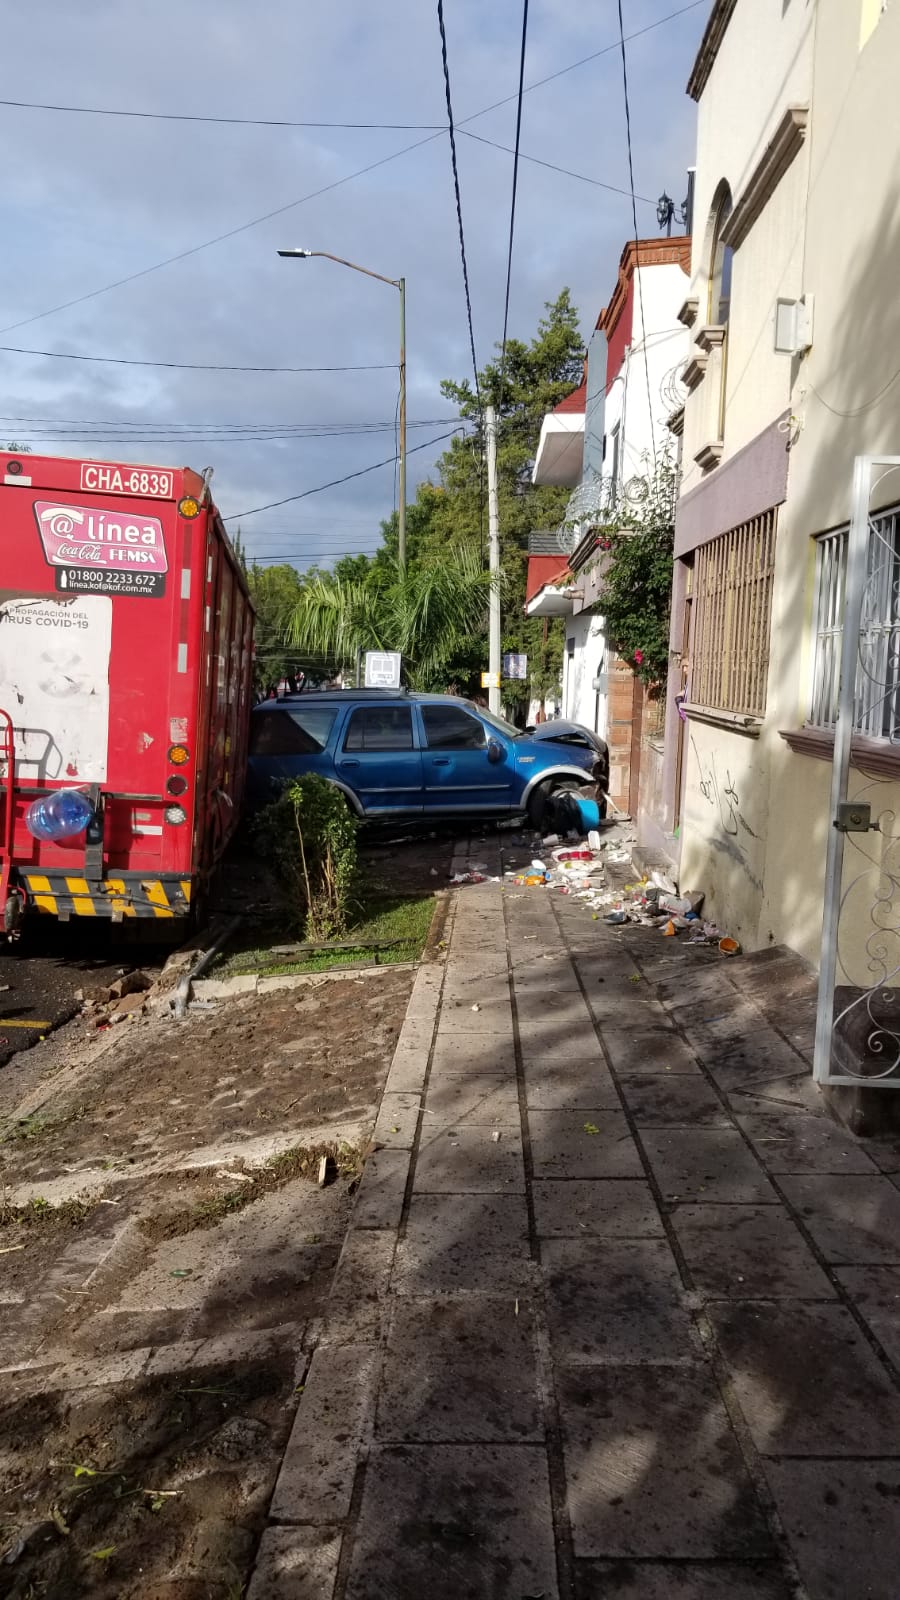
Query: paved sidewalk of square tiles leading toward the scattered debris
(619, 1314)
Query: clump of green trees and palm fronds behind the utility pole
(438, 617)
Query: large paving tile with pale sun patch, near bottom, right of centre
(654, 1470)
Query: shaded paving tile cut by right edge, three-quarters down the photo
(853, 1220)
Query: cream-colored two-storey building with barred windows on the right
(794, 372)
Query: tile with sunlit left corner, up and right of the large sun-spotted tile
(806, 1380)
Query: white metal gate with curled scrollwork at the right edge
(858, 1028)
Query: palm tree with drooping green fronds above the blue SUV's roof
(427, 614)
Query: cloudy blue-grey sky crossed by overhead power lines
(94, 199)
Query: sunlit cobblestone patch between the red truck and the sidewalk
(228, 1076)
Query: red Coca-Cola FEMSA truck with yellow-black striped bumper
(126, 671)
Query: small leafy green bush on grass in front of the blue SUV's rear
(311, 838)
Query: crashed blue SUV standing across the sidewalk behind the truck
(398, 754)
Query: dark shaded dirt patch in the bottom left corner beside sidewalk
(155, 1490)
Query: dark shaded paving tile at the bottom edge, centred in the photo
(452, 1522)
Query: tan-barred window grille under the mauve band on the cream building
(733, 610)
